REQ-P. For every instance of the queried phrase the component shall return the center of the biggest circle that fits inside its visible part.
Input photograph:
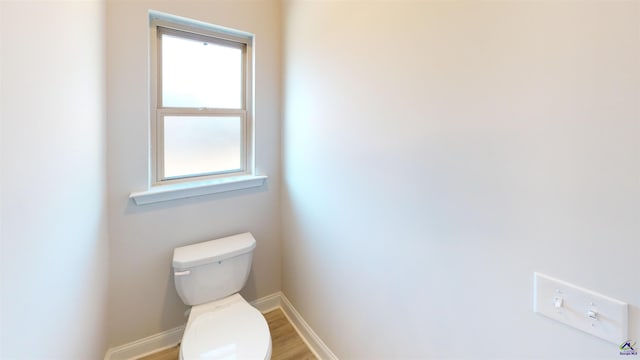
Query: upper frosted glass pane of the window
(200, 74)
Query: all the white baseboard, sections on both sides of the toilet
(172, 337)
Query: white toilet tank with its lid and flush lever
(213, 269)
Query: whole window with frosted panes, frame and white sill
(201, 109)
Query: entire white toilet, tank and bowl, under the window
(221, 324)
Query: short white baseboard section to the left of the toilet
(146, 346)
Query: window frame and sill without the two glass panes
(161, 188)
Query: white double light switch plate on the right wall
(573, 306)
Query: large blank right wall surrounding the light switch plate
(437, 153)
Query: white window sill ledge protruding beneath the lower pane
(196, 188)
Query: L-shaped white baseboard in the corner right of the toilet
(278, 300)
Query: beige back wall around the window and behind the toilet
(142, 297)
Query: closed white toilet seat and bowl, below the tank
(226, 329)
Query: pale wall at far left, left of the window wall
(54, 242)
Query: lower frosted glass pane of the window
(201, 145)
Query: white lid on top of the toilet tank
(213, 250)
